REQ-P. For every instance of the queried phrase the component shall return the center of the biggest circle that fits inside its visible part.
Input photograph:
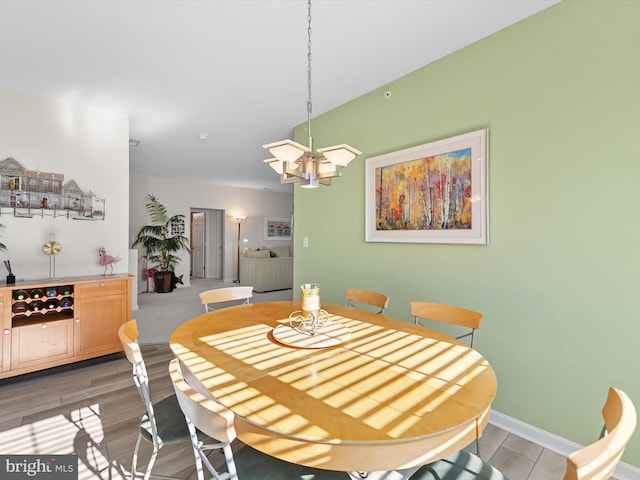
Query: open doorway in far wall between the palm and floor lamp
(207, 243)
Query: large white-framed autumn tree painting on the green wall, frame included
(432, 193)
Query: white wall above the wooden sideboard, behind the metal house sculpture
(86, 145)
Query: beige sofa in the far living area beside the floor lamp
(267, 268)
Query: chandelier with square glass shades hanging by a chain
(295, 162)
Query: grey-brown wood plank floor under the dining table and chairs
(93, 408)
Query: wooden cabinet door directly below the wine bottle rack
(41, 344)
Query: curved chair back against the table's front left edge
(205, 414)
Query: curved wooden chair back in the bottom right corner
(598, 460)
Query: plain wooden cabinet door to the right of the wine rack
(100, 309)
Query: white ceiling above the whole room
(235, 70)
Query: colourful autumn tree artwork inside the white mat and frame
(430, 193)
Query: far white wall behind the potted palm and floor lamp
(181, 196)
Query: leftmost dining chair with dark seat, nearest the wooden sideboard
(164, 423)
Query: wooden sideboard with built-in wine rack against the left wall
(61, 321)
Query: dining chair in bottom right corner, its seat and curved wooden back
(596, 461)
